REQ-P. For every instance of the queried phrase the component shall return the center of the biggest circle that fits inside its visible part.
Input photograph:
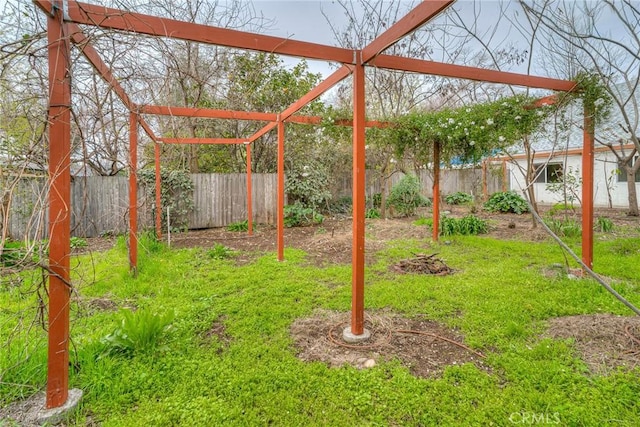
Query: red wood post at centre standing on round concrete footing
(357, 256)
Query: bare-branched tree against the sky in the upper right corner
(605, 36)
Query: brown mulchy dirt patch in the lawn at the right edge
(605, 341)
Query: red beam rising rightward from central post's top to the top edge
(420, 14)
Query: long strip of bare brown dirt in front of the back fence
(330, 242)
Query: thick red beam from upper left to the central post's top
(115, 19)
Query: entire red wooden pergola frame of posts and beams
(64, 18)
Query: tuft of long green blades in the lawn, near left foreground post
(141, 331)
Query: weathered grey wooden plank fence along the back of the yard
(100, 204)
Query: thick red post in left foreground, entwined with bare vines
(59, 208)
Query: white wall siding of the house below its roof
(605, 164)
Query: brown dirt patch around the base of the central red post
(424, 346)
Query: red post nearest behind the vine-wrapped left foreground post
(133, 193)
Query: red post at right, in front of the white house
(587, 186)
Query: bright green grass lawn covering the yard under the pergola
(499, 299)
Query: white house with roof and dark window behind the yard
(558, 157)
